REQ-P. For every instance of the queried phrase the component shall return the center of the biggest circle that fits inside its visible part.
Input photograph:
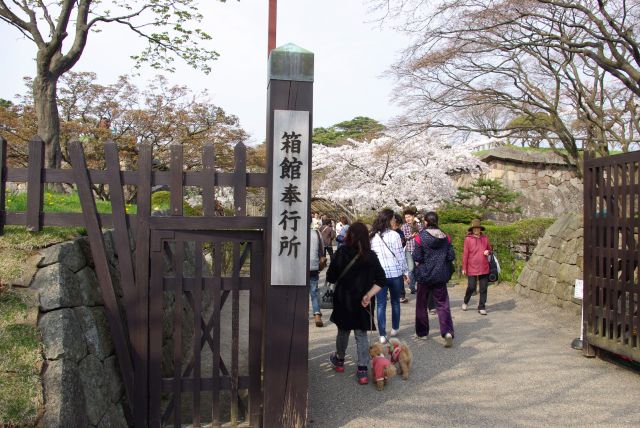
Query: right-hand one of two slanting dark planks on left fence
(121, 233)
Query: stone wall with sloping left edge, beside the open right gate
(556, 263)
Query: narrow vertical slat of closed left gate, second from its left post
(197, 333)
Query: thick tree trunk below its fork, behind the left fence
(44, 96)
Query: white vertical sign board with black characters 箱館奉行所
(290, 201)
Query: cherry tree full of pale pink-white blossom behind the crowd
(390, 171)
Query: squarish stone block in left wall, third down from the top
(62, 335)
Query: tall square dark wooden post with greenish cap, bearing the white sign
(286, 332)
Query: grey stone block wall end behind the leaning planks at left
(81, 380)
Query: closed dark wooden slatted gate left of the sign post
(194, 274)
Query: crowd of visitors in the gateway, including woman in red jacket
(372, 264)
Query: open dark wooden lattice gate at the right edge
(612, 254)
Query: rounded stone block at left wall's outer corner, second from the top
(58, 287)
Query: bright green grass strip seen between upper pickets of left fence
(54, 202)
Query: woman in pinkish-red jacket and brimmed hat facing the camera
(475, 264)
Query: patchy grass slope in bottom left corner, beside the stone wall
(20, 361)
